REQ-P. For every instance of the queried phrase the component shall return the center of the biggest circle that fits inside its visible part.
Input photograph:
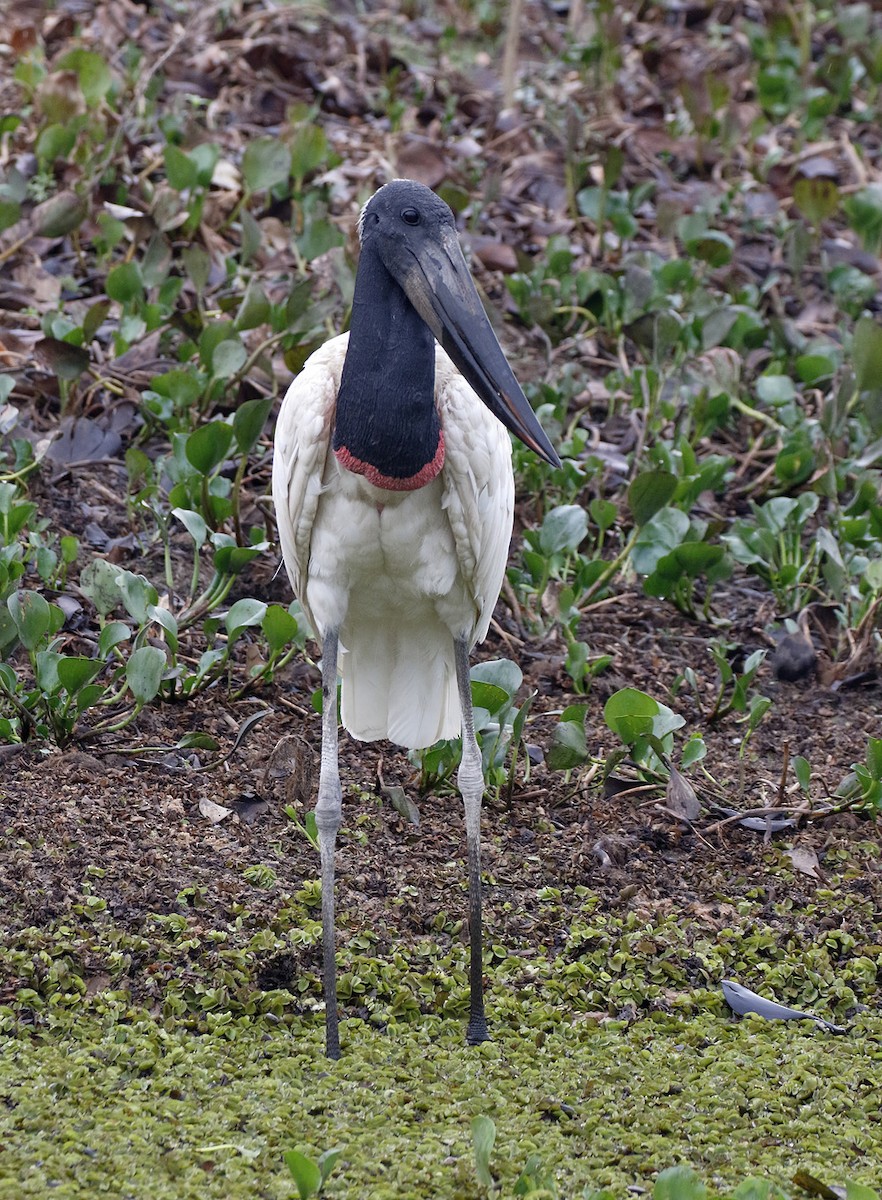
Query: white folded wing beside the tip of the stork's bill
(479, 490)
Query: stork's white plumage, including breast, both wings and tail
(401, 575)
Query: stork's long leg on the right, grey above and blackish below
(471, 779)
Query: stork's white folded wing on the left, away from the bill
(299, 458)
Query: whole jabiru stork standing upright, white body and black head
(394, 497)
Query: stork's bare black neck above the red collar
(386, 406)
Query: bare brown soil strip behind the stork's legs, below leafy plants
(137, 817)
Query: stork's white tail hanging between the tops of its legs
(400, 683)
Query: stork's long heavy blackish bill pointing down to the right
(439, 285)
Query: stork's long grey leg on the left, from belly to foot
(328, 818)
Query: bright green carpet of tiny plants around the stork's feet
(121, 1105)
